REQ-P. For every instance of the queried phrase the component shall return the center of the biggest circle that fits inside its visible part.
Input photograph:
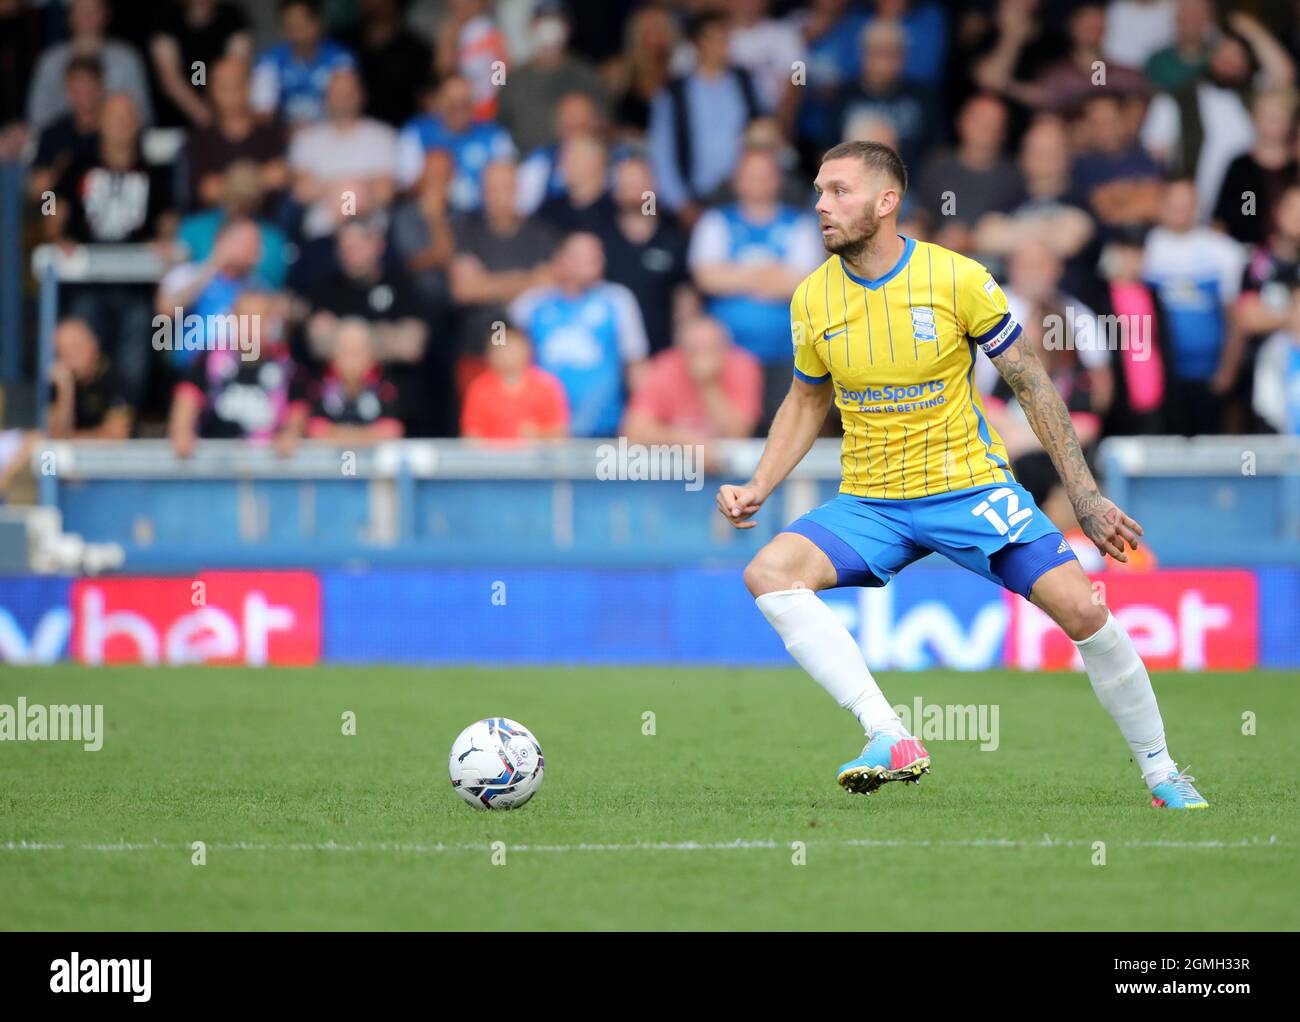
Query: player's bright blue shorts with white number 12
(996, 531)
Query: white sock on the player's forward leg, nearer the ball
(824, 648)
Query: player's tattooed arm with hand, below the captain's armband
(1099, 518)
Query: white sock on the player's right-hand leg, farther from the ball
(1124, 688)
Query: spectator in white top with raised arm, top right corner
(1202, 131)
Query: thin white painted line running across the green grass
(739, 845)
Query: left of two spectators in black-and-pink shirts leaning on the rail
(231, 395)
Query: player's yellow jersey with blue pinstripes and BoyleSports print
(900, 352)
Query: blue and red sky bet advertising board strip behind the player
(929, 617)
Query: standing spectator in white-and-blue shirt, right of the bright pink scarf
(1195, 274)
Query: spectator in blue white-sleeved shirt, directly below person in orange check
(452, 128)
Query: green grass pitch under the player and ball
(694, 828)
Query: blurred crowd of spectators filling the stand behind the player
(547, 219)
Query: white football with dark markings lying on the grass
(496, 764)
